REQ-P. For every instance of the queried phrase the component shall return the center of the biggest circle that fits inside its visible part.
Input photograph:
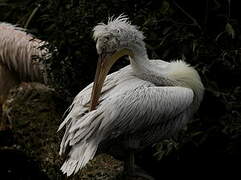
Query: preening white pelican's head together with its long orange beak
(115, 39)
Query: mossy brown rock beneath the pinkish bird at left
(33, 113)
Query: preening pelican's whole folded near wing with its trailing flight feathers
(130, 112)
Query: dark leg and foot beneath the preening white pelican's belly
(132, 170)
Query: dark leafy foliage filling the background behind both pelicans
(205, 33)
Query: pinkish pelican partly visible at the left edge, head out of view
(17, 63)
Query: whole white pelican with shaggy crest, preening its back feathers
(139, 105)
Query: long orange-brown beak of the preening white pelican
(105, 62)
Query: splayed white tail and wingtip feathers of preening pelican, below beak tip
(83, 136)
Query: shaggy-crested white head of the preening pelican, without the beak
(117, 34)
